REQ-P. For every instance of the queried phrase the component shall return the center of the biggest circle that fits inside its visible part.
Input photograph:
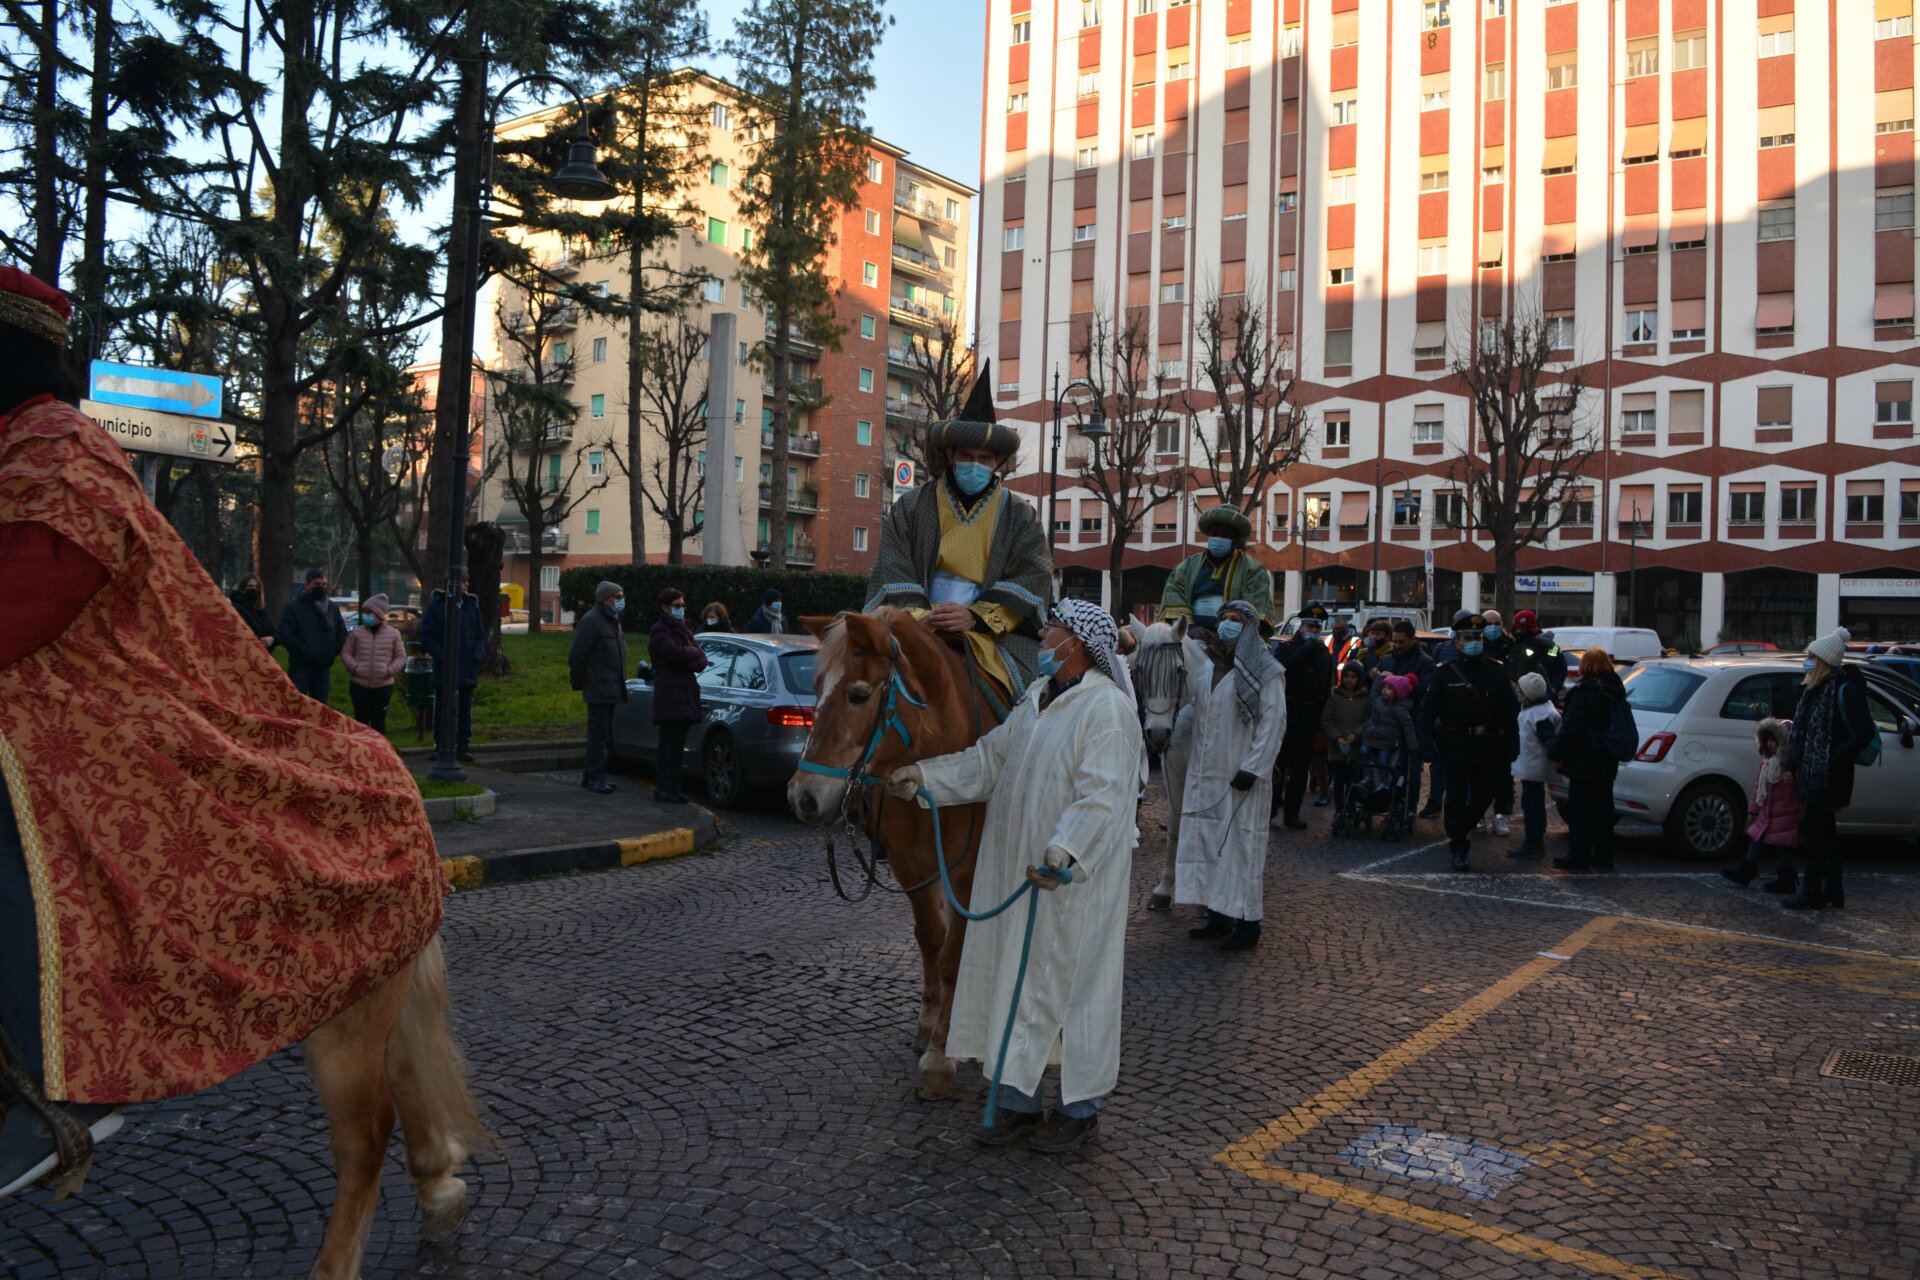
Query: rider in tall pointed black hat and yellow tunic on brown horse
(969, 557)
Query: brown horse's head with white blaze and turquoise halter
(857, 676)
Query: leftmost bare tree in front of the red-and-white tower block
(1124, 369)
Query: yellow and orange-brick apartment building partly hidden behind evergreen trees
(901, 262)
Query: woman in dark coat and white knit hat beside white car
(1833, 726)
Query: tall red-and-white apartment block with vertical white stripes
(1710, 201)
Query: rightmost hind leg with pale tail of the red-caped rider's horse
(427, 1078)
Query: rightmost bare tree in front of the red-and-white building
(1524, 454)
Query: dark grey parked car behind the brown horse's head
(759, 707)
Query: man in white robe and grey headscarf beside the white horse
(1237, 723)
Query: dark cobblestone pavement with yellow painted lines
(702, 1068)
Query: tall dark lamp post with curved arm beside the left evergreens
(577, 179)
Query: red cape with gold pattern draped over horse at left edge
(220, 865)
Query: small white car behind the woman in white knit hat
(1696, 761)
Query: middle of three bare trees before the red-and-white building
(1247, 379)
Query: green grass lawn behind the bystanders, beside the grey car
(535, 703)
